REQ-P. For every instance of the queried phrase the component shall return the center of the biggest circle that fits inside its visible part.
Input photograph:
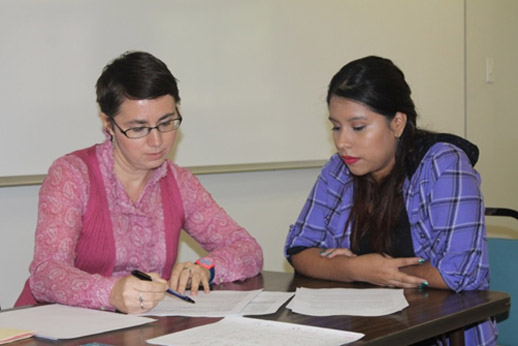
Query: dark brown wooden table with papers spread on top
(431, 313)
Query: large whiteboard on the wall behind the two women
(239, 62)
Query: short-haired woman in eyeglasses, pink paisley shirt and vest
(119, 206)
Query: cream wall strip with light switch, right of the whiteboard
(492, 115)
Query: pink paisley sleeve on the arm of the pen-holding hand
(62, 203)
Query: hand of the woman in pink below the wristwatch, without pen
(189, 274)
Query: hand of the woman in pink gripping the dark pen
(134, 296)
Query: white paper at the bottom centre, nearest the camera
(245, 331)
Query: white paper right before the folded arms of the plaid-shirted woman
(348, 301)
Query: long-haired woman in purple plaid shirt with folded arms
(396, 206)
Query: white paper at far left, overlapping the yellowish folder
(66, 322)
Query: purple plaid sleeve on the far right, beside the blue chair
(456, 211)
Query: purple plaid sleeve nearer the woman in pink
(312, 228)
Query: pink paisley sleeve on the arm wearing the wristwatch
(236, 254)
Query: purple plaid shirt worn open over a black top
(446, 214)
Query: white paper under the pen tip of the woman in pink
(218, 303)
